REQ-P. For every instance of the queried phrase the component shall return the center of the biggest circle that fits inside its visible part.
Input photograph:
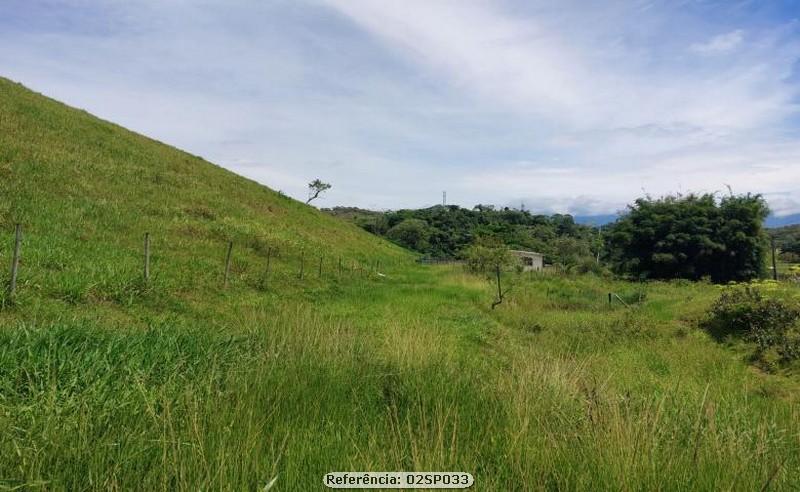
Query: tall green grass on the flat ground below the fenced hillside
(413, 375)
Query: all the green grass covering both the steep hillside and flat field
(107, 382)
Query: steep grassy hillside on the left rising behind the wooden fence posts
(86, 191)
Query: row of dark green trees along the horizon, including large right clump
(691, 236)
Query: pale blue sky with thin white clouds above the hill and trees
(570, 106)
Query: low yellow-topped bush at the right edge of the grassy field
(771, 323)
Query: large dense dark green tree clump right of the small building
(692, 236)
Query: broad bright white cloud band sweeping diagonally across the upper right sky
(578, 77)
